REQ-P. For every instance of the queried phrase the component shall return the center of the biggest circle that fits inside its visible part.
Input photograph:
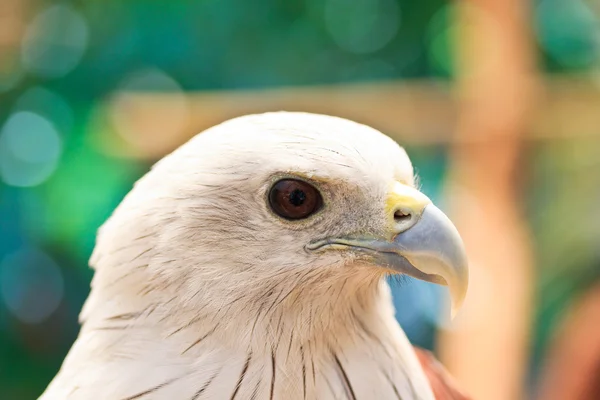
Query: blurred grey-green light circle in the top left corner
(55, 42)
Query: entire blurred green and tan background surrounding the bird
(496, 101)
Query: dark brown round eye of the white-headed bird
(294, 199)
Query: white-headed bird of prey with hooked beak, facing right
(252, 263)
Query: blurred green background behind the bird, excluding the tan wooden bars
(240, 44)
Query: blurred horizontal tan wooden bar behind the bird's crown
(413, 112)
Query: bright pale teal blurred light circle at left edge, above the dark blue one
(30, 147)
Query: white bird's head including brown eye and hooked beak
(263, 204)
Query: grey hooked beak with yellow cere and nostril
(424, 243)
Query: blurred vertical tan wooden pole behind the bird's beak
(486, 350)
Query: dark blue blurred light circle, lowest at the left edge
(31, 285)
